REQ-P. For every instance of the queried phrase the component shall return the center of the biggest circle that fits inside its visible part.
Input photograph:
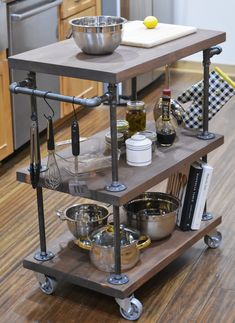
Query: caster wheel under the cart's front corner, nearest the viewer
(130, 308)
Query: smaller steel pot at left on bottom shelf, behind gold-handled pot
(82, 219)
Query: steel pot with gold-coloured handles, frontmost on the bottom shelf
(101, 246)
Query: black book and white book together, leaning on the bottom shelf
(194, 196)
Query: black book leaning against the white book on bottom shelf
(194, 180)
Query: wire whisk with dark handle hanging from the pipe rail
(52, 176)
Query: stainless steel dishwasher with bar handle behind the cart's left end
(31, 24)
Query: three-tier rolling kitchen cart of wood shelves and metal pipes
(62, 260)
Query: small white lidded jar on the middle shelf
(138, 150)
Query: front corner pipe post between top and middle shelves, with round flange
(115, 186)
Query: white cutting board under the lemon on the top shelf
(136, 34)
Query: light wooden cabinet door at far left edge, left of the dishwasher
(6, 136)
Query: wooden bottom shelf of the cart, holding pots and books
(73, 265)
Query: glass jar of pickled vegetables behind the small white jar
(136, 116)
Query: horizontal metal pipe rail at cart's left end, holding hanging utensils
(93, 102)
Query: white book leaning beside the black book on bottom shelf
(202, 196)
